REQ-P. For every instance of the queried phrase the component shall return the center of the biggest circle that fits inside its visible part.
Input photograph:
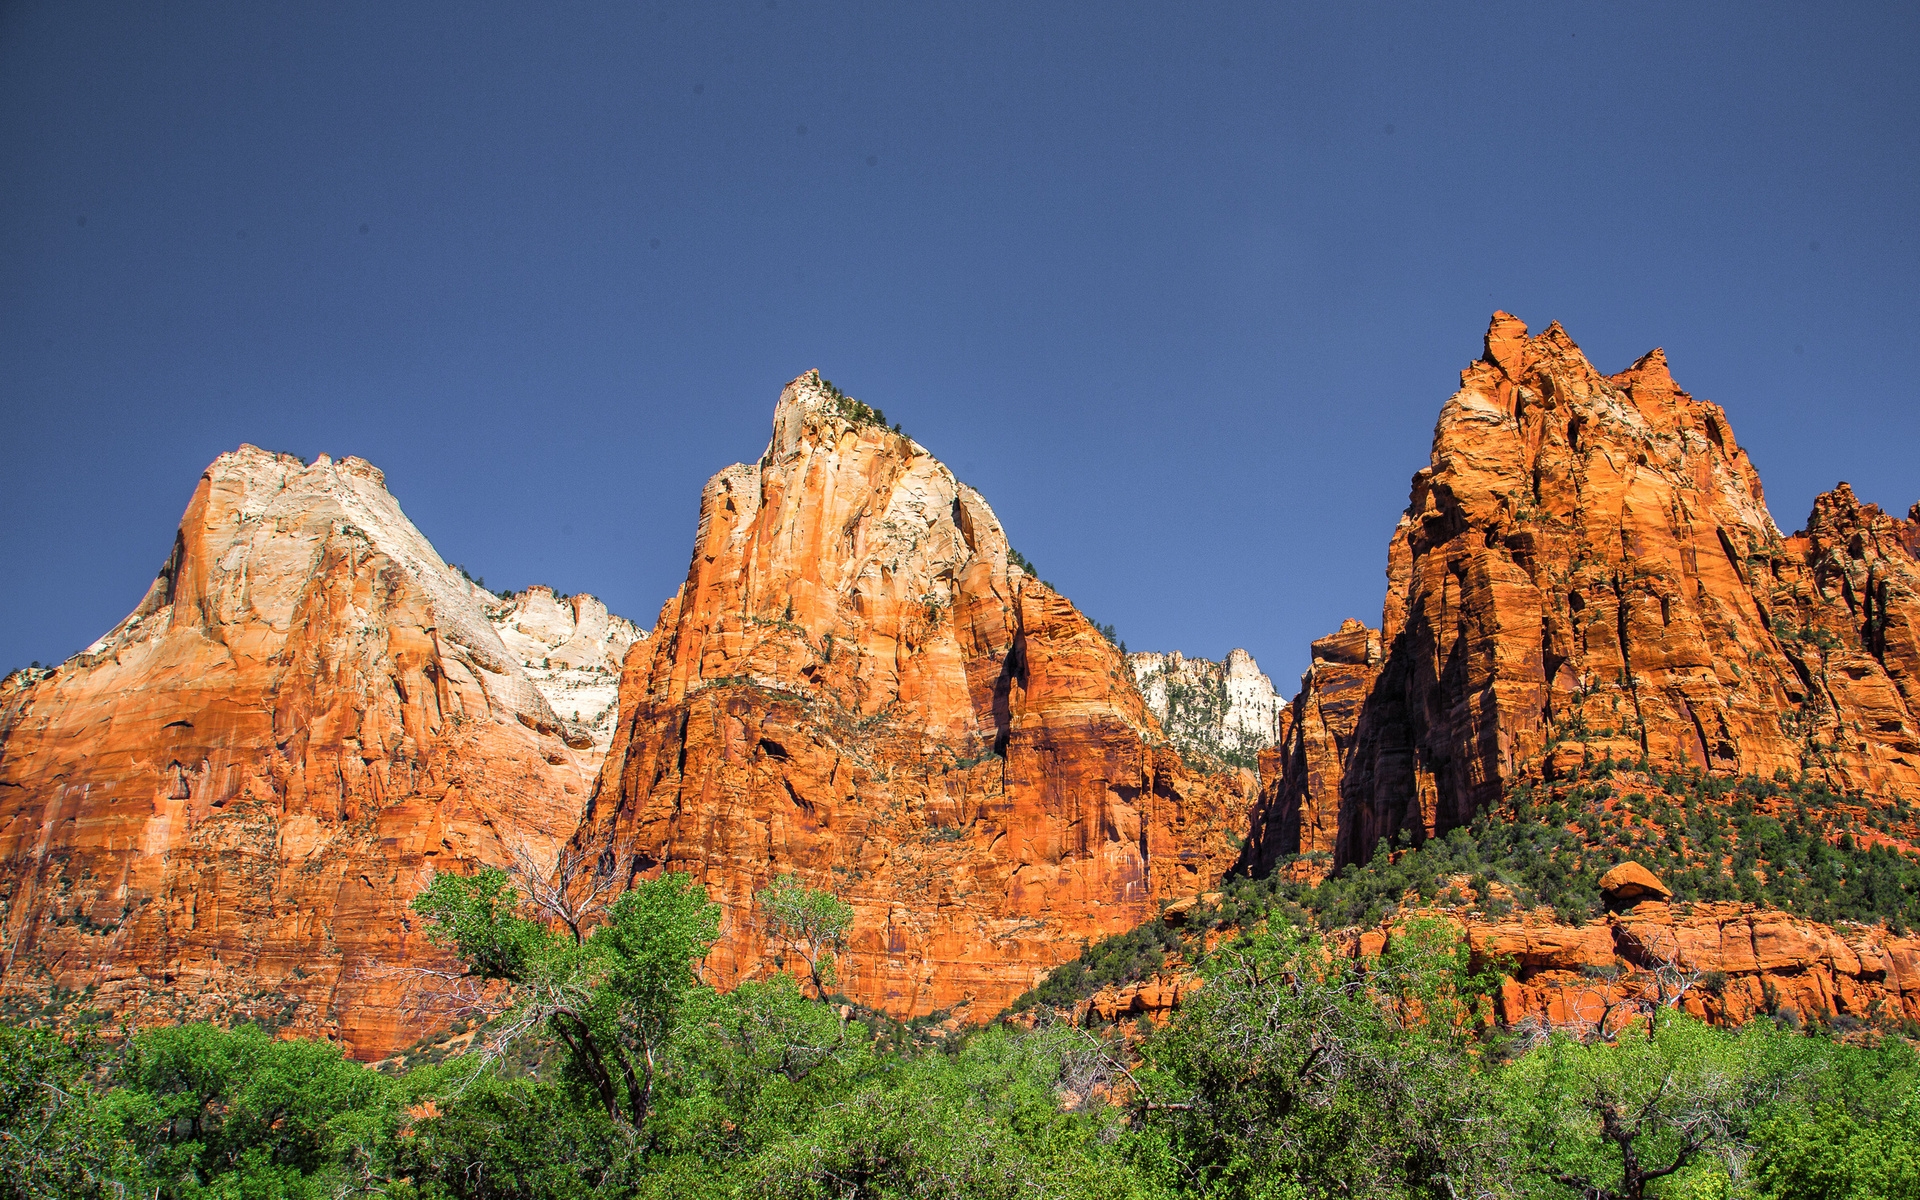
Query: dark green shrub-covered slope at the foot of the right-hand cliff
(1783, 844)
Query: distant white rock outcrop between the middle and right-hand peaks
(1214, 713)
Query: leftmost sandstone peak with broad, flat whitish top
(229, 802)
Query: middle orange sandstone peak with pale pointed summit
(857, 688)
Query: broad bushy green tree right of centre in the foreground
(1303, 1072)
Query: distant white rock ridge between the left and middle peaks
(571, 650)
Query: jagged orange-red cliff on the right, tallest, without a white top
(1589, 567)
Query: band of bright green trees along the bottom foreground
(1291, 1074)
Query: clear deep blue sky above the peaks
(1178, 287)
